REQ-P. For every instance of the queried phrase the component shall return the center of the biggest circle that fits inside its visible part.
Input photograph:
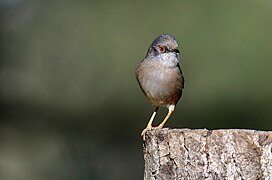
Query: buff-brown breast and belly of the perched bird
(162, 85)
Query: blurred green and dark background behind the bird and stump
(70, 104)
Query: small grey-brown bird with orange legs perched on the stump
(160, 77)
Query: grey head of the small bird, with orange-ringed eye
(163, 44)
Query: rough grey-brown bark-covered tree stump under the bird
(205, 154)
